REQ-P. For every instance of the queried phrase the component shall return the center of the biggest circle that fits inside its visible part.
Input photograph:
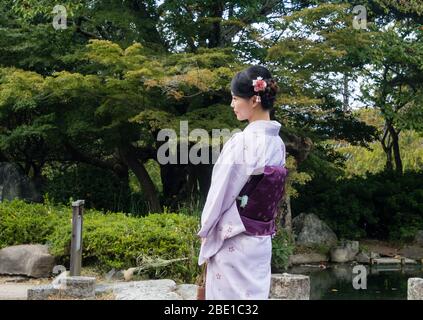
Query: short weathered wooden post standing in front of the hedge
(76, 243)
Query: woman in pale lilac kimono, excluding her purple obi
(239, 263)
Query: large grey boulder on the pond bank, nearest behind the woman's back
(309, 229)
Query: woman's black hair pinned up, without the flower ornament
(242, 85)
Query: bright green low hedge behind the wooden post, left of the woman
(111, 240)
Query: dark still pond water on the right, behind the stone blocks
(384, 282)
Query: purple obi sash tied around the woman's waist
(258, 200)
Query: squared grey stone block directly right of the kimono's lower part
(287, 286)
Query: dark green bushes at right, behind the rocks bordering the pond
(383, 205)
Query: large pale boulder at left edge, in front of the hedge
(29, 260)
